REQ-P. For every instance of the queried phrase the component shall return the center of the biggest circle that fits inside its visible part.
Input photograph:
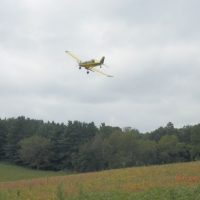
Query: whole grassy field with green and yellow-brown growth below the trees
(165, 182)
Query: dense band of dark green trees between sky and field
(81, 147)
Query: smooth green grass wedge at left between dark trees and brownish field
(12, 173)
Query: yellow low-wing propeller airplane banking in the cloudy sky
(90, 65)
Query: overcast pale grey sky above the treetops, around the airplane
(152, 49)
